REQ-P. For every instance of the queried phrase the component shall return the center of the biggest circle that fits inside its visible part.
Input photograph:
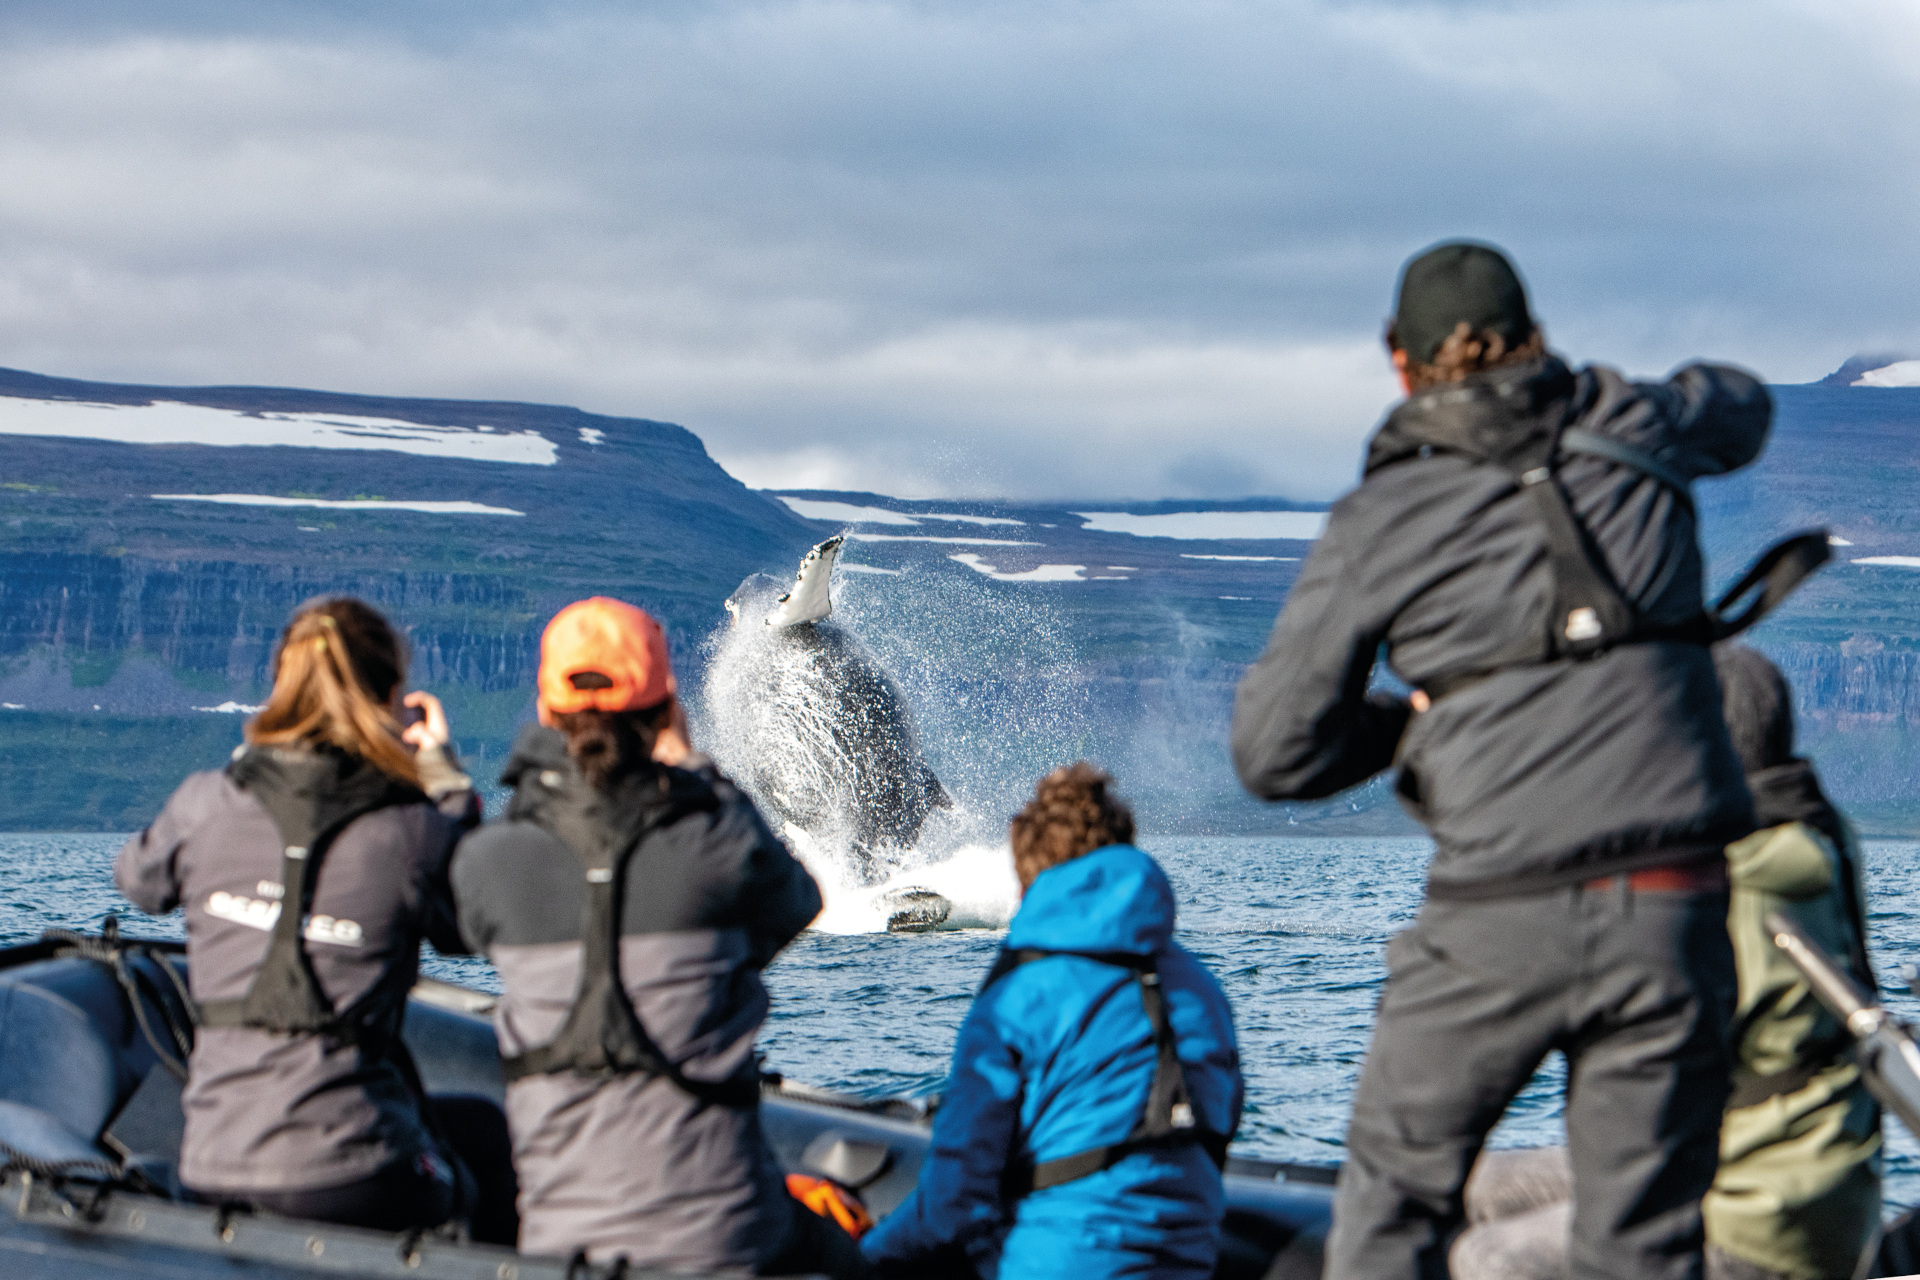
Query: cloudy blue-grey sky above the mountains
(992, 249)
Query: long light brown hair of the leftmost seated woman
(333, 684)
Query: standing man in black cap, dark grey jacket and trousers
(1524, 546)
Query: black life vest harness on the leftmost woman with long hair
(310, 811)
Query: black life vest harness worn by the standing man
(1591, 615)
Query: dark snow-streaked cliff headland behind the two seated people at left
(130, 600)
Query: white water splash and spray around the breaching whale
(997, 698)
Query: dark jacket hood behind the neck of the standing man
(1495, 415)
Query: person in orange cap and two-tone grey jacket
(631, 901)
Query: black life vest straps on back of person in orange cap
(604, 1035)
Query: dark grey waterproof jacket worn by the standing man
(1541, 774)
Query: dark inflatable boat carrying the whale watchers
(93, 1033)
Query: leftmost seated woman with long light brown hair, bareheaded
(312, 866)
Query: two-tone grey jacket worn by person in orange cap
(633, 1164)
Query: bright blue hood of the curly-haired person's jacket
(1115, 899)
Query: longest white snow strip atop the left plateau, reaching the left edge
(170, 423)
